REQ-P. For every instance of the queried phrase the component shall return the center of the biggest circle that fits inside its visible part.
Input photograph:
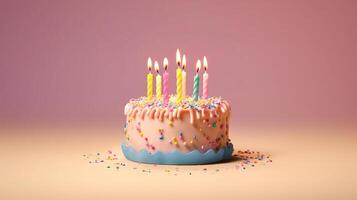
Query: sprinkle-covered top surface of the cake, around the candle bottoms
(187, 103)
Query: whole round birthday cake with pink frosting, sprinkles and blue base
(172, 129)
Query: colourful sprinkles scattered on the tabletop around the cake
(241, 161)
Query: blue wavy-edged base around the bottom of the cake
(177, 158)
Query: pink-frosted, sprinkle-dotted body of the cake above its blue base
(201, 125)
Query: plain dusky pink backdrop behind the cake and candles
(80, 61)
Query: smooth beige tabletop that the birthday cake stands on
(315, 162)
